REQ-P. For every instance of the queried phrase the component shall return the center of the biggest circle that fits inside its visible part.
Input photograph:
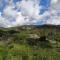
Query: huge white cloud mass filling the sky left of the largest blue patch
(28, 12)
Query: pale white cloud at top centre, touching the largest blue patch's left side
(29, 8)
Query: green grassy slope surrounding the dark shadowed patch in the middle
(14, 49)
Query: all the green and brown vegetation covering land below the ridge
(37, 43)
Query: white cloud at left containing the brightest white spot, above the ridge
(10, 14)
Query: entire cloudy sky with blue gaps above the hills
(29, 12)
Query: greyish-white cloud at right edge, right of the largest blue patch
(54, 13)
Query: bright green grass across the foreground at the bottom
(25, 52)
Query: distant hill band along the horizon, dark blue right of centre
(33, 27)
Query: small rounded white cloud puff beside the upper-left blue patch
(9, 11)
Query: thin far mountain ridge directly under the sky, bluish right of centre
(33, 26)
